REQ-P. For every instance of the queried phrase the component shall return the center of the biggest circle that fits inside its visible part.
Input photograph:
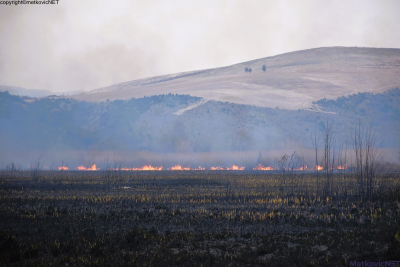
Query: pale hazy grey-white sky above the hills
(85, 45)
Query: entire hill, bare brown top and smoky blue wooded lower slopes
(223, 115)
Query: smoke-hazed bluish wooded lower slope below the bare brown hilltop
(181, 123)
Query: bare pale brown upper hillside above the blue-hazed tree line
(291, 81)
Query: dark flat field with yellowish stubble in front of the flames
(195, 218)
